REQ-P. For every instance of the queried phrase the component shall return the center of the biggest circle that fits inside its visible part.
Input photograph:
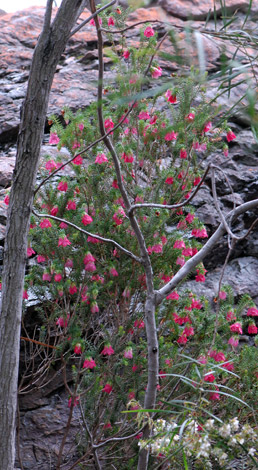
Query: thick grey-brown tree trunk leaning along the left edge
(47, 53)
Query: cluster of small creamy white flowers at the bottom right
(201, 442)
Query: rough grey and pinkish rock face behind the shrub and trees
(44, 410)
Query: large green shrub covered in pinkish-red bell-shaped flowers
(119, 224)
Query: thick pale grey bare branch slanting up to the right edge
(205, 250)
